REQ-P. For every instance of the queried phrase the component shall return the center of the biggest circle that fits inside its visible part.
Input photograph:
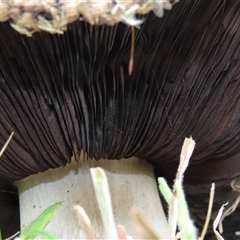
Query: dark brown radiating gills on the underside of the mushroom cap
(64, 93)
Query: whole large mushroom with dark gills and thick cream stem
(66, 93)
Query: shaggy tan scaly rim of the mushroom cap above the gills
(29, 16)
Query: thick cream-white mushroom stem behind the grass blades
(131, 183)
